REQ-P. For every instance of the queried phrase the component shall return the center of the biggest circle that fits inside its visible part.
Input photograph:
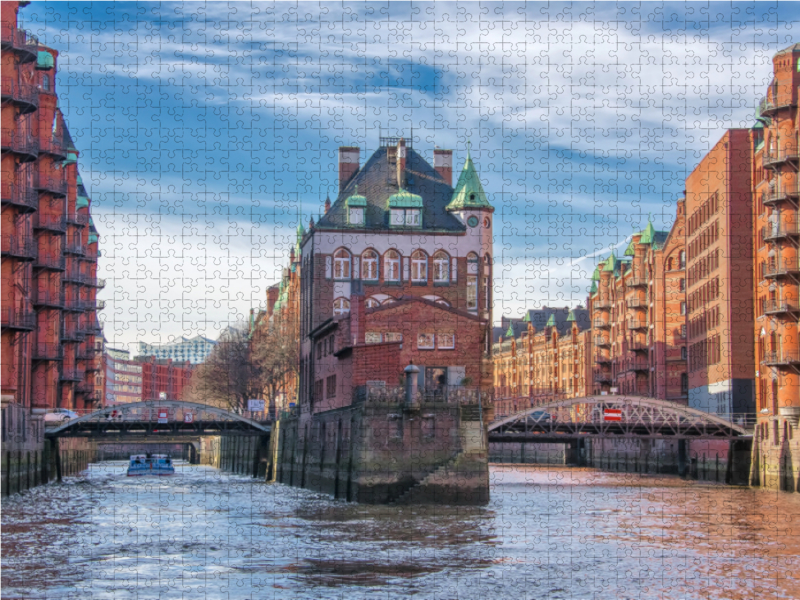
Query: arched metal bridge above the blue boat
(157, 418)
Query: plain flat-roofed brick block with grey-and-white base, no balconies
(719, 278)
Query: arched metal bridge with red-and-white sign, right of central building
(615, 417)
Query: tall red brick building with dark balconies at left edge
(49, 243)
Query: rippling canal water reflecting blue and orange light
(549, 532)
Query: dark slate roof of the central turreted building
(376, 181)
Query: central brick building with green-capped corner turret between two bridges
(398, 267)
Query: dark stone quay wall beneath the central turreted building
(379, 451)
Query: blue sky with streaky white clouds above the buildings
(207, 130)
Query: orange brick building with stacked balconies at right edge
(776, 193)
